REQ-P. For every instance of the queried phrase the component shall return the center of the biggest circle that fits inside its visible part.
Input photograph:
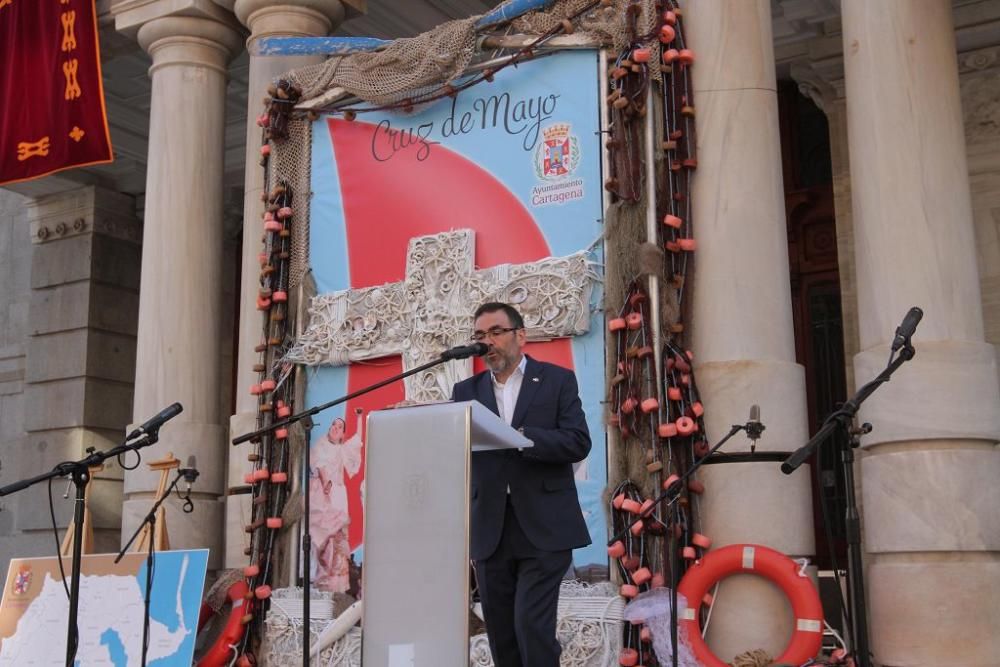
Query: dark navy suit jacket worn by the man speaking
(540, 478)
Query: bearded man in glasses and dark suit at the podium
(526, 517)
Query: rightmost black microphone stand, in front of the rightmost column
(843, 419)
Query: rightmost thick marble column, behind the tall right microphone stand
(930, 467)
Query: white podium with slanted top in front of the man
(415, 583)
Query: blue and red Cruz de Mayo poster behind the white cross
(517, 162)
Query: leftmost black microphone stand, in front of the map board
(80, 473)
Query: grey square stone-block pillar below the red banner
(80, 361)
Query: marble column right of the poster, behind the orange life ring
(741, 318)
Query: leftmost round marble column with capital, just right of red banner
(180, 302)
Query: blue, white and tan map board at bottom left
(35, 609)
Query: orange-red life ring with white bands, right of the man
(807, 638)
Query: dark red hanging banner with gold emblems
(52, 113)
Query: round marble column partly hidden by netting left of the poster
(291, 18)
